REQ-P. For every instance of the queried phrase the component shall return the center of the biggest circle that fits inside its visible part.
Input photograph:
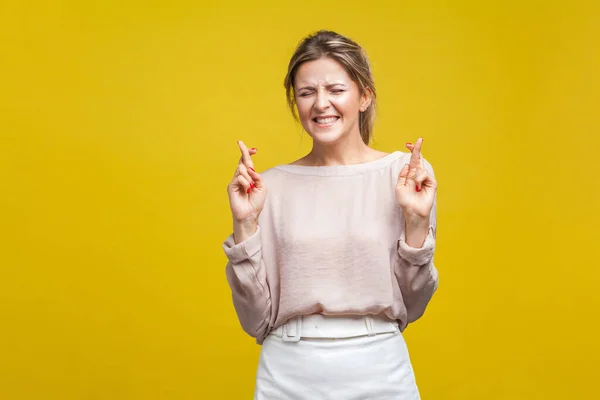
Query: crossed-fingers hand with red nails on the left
(247, 195)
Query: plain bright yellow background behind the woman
(118, 124)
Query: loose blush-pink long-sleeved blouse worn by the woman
(330, 241)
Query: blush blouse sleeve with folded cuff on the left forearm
(247, 278)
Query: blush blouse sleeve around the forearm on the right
(416, 273)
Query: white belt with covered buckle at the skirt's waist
(331, 327)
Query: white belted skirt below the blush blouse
(335, 358)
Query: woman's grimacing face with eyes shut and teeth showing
(328, 101)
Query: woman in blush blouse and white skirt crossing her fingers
(330, 264)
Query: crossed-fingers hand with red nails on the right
(416, 188)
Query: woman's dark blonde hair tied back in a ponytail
(351, 56)
